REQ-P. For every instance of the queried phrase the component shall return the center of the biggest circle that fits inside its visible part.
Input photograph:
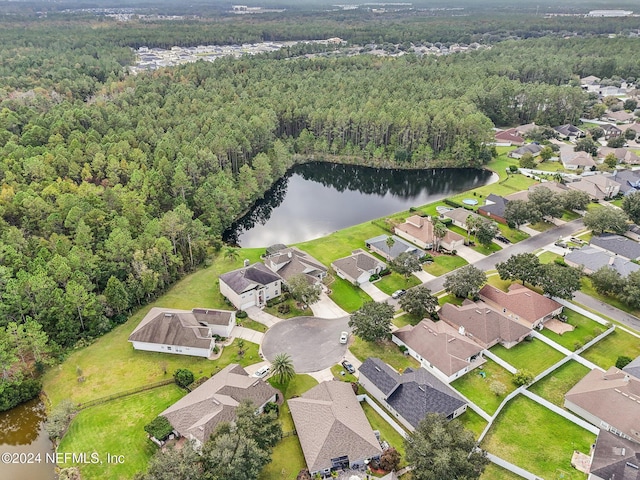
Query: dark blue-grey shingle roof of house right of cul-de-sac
(417, 392)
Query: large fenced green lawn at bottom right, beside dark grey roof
(536, 439)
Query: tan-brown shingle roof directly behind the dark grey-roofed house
(440, 344)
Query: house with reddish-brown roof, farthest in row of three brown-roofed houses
(524, 305)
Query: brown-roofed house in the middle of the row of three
(484, 324)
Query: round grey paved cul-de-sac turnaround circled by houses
(313, 343)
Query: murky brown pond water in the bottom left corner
(23, 439)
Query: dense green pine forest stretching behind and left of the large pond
(113, 186)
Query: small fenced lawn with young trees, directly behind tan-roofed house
(476, 388)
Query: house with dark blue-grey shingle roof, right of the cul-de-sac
(409, 396)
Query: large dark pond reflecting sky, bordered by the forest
(318, 198)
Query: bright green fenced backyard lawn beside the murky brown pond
(117, 428)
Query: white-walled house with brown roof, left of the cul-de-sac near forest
(182, 332)
